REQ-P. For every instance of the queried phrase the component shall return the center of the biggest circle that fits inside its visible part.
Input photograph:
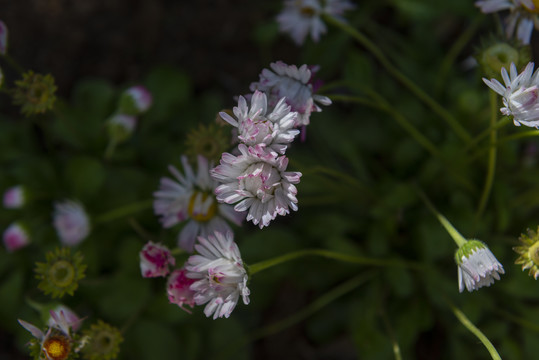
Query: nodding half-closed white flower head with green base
(477, 266)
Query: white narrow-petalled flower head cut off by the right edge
(520, 95)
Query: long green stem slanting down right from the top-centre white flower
(393, 71)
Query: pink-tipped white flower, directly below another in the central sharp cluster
(257, 182)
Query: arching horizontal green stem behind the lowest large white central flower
(266, 264)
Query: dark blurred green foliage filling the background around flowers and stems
(356, 197)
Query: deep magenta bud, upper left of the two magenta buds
(155, 260)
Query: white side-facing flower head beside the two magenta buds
(219, 274)
